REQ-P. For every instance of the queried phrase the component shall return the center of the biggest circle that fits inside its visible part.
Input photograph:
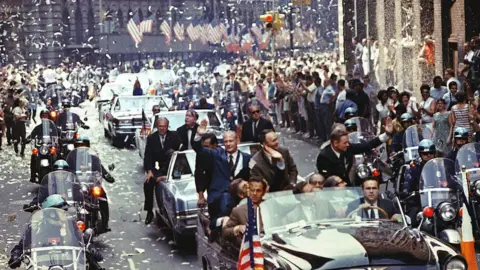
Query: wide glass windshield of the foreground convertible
(280, 213)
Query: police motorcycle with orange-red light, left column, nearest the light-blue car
(88, 169)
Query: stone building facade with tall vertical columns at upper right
(399, 28)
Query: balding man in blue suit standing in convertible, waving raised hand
(228, 164)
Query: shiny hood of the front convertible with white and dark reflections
(359, 244)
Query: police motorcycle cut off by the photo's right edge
(468, 158)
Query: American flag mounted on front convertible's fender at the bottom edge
(251, 254)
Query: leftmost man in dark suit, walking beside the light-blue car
(158, 151)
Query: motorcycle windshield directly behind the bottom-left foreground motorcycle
(63, 183)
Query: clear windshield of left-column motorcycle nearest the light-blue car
(85, 164)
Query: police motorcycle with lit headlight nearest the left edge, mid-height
(44, 151)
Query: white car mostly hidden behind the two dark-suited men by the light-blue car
(177, 119)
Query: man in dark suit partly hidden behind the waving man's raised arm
(203, 167)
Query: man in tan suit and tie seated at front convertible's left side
(236, 225)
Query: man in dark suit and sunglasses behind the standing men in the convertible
(252, 128)
